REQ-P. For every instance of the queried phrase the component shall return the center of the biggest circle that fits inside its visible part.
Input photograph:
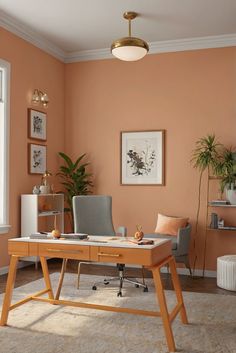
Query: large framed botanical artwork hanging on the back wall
(142, 157)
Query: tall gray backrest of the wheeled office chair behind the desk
(93, 215)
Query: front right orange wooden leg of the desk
(163, 308)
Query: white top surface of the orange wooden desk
(108, 241)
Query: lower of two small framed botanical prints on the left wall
(37, 158)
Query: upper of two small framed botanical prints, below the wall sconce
(37, 125)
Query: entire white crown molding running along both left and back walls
(24, 32)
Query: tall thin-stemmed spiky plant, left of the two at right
(205, 157)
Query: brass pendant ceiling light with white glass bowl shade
(129, 48)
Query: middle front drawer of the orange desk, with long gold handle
(64, 251)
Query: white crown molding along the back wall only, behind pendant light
(167, 46)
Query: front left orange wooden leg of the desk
(9, 289)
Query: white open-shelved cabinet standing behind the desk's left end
(41, 213)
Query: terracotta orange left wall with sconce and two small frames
(30, 68)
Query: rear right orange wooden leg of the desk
(178, 291)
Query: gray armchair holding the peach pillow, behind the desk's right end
(180, 244)
